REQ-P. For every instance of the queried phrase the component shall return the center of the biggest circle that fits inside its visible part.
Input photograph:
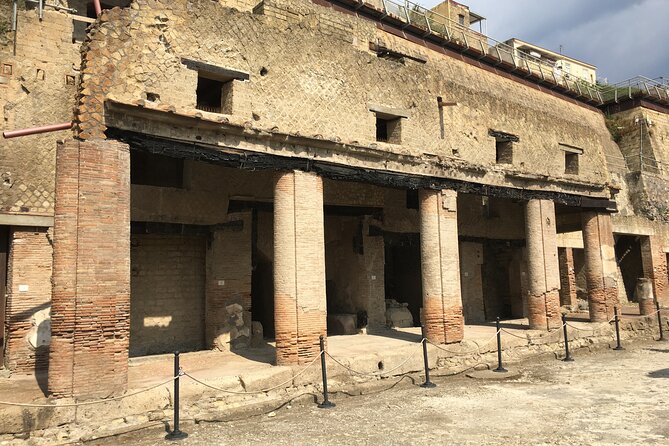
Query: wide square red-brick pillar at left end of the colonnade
(90, 310)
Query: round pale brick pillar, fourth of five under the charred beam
(543, 303)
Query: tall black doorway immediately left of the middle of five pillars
(403, 281)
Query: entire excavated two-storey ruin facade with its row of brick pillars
(239, 172)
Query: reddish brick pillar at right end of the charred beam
(600, 265)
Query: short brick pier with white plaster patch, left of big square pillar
(28, 300)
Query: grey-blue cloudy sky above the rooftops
(622, 38)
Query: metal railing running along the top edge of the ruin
(435, 23)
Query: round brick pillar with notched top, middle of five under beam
(440, 266)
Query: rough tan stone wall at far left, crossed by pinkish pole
(37, 87)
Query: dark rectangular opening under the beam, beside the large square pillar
(156, 170)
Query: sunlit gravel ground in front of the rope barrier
(607, 398)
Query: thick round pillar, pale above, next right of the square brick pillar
(299, 267)
